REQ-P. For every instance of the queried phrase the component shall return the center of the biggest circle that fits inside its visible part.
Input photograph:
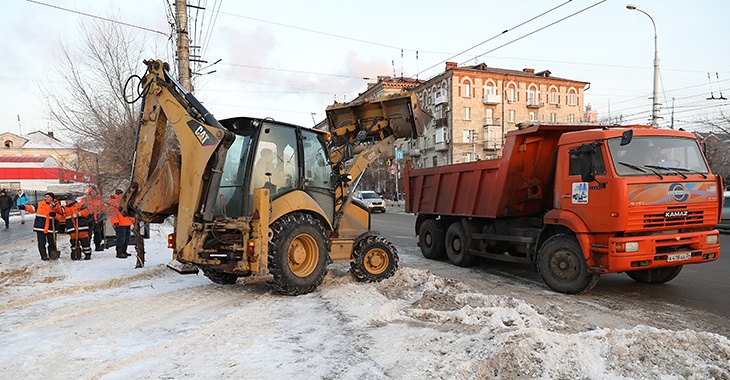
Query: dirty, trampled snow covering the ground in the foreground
(103, 319)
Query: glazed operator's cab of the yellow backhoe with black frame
(278, 156)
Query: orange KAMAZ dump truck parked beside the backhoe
(577, 201)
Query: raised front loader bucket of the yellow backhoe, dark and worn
(397, 114)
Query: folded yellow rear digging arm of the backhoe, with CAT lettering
(166, 179)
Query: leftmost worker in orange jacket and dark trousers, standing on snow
(47, 222)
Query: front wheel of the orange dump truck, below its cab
(562, 267)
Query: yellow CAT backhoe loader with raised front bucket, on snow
(260, 200)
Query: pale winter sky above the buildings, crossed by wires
(290, 59)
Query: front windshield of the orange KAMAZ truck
(661, 155)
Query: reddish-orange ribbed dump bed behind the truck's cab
(518, 184)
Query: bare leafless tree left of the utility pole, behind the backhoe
(88, 103)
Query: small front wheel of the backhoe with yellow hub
(375, 259)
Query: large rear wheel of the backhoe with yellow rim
(298, 254)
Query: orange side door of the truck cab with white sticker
(590, 200)
